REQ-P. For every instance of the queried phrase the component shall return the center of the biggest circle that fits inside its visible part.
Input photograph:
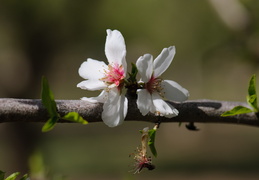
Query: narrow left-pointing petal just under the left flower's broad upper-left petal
(92, 85)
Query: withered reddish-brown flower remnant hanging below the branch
(141, 159)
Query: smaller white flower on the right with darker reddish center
(155, 90)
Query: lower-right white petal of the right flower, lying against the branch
(162, 108)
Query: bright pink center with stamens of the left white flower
(114, 75)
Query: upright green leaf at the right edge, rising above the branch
(252, 96)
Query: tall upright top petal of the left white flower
(115, 48)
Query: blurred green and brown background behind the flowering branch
(217, 44)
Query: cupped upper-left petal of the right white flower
(145, 67)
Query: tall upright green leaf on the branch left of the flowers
(47, 98)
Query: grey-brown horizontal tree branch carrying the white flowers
(202, 111)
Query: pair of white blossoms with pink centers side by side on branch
(152, 90)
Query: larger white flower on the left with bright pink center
(109, 78)
